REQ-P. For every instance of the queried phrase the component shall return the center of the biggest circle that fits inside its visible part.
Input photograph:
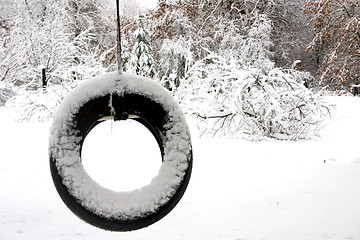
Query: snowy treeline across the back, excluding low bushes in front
(73, 39)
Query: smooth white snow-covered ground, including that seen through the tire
(239, 190)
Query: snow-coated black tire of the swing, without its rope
(120, 96)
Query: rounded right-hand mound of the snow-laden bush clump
(275, 105)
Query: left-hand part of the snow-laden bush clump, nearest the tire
(204, 89)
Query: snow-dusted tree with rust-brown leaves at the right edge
(337, 26)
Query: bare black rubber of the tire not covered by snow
(149, 113)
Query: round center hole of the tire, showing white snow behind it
(121, 155)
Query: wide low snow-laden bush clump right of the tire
(252, 102)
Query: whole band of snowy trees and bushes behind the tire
(212, 54)
